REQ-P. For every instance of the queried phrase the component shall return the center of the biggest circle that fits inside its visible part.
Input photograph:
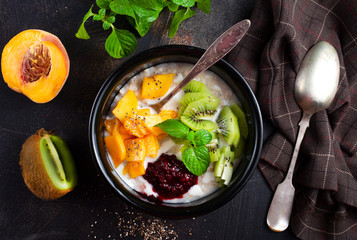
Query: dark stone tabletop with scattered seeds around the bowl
(93, 210)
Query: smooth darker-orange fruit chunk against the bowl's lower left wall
(116, 148)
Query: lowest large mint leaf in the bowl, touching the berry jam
(196, 159)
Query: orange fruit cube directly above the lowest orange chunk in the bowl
(135, 149)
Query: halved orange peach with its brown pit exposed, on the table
(36, 64)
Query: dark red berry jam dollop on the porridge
(169, 177)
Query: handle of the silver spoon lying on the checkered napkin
(280, 208)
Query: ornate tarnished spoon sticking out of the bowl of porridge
(218, 49)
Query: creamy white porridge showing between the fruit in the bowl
(206, 182)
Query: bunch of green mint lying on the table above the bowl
(141, 15)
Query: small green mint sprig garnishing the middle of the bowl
(196, 155)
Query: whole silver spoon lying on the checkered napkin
(315, 87)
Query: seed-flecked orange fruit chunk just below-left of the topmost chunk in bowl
(126, 106)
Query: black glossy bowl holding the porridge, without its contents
(186, 54)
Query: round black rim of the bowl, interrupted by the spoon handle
(162, 210)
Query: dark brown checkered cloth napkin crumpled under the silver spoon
(325, 178)
